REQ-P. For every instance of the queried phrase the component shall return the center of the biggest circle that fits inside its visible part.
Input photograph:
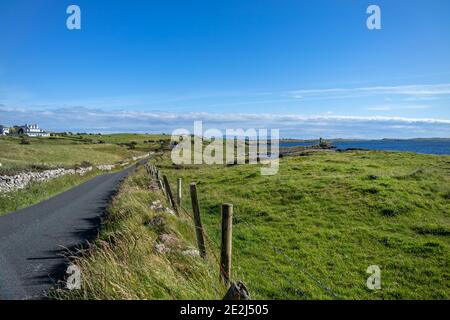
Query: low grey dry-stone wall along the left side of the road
(22, 180)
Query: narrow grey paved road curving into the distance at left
(33, 240)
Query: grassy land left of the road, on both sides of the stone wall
(65, 151)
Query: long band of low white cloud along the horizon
(80, 119)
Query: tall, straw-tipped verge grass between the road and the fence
(122, 263)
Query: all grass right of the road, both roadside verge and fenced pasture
(309, 232)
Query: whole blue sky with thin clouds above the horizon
(309, 68)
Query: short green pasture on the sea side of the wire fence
(312, 230)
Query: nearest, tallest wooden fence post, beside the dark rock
(227, 237)
